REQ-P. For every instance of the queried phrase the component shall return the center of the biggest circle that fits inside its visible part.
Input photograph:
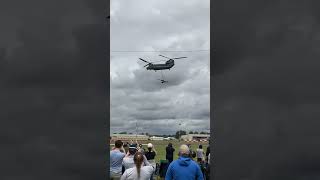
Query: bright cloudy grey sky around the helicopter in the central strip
(136, 94)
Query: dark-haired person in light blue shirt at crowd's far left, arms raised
(116, 157)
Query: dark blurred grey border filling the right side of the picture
(266, 91)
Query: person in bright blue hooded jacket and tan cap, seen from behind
(184, 168)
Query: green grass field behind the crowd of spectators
(160, 147)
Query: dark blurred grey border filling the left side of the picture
(52, 90)
